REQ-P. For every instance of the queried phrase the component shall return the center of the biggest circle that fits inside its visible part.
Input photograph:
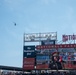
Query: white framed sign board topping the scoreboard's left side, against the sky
(40, 36)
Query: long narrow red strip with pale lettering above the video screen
(56, 46)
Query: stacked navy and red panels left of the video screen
(28, 57)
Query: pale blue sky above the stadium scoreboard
(32, 16)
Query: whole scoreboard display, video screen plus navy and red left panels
(60, 58)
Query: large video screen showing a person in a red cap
(66, 58)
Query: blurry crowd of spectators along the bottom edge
(52, 73)
